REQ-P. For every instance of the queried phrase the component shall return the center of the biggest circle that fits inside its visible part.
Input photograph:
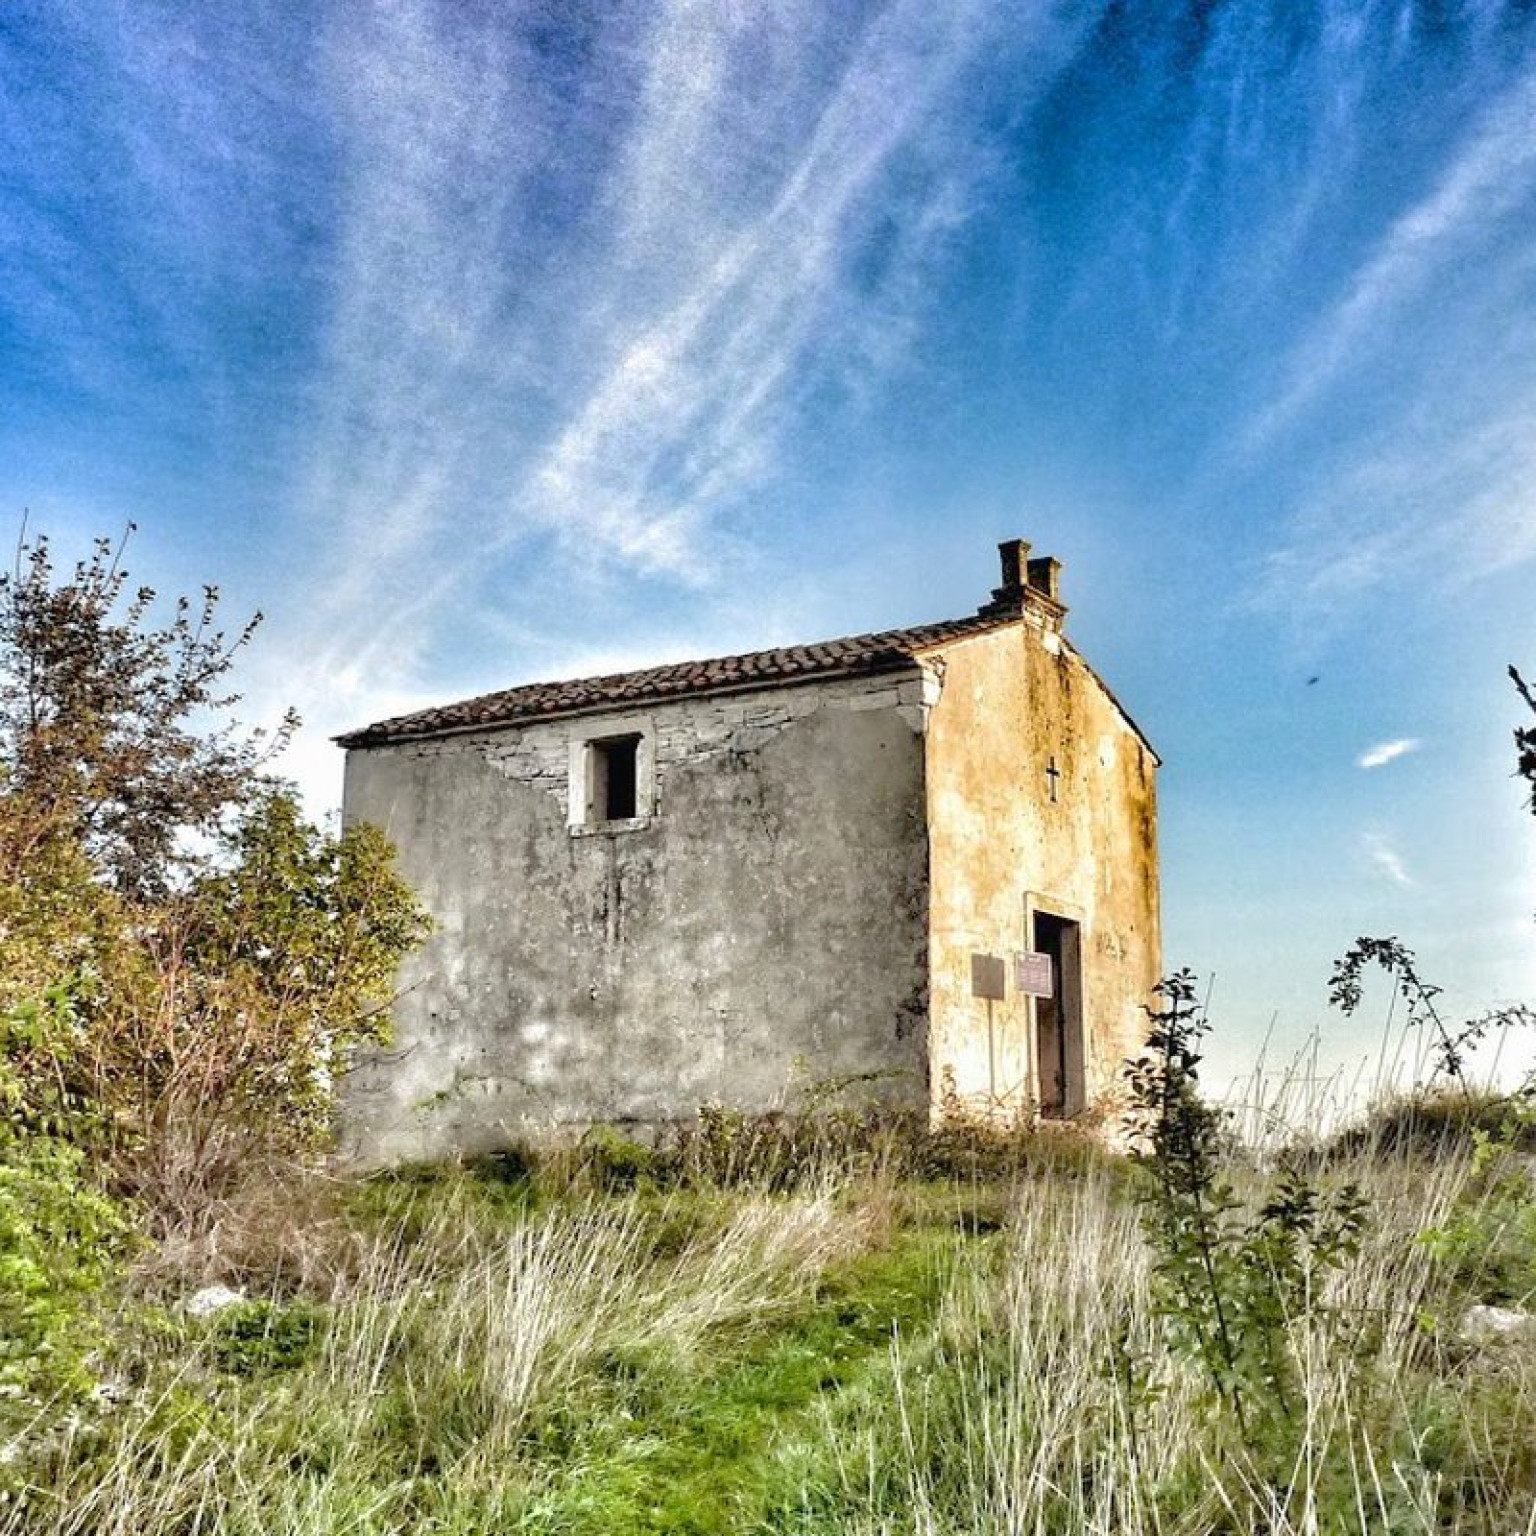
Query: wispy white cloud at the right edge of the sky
(1434, 478)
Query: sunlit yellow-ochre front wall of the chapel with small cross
(1010, 704)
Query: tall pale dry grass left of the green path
(451, 1337)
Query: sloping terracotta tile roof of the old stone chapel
(853, 657)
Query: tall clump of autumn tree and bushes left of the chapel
(185, 961)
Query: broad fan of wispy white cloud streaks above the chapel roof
(586, 276)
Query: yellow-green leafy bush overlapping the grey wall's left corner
(243, 1001)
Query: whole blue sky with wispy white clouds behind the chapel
(477, 343)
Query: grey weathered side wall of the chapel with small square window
(763, 927)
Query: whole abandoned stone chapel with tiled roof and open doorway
(922, 864)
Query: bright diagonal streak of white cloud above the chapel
(715, 366)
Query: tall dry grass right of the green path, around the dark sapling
(1050, 1402)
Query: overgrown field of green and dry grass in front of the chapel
(600, 1349)
